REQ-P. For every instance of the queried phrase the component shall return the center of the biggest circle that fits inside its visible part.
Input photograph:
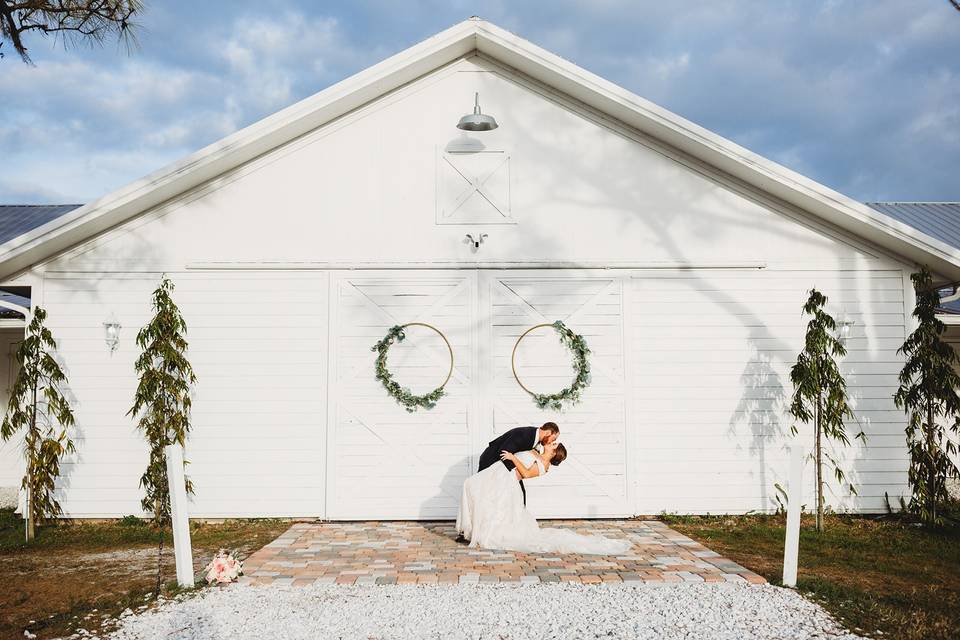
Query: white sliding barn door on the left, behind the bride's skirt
(385, 462)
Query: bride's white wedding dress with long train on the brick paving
(492, 516)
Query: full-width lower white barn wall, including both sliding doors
(686, 411)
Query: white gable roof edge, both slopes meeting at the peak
(465, 38)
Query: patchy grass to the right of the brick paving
(874, 574)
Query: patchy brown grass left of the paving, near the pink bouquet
(70, 569)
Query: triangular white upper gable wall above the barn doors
(364, 189)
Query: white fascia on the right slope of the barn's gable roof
(716, 151)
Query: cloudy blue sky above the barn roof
(862, 95)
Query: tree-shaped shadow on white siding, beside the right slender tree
(760, 412)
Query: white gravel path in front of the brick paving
(515, 612)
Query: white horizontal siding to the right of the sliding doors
(711, 387)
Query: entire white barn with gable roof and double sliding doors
(297, 242)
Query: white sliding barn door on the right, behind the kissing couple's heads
(592, 482)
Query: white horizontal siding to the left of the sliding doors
(258, 346)
